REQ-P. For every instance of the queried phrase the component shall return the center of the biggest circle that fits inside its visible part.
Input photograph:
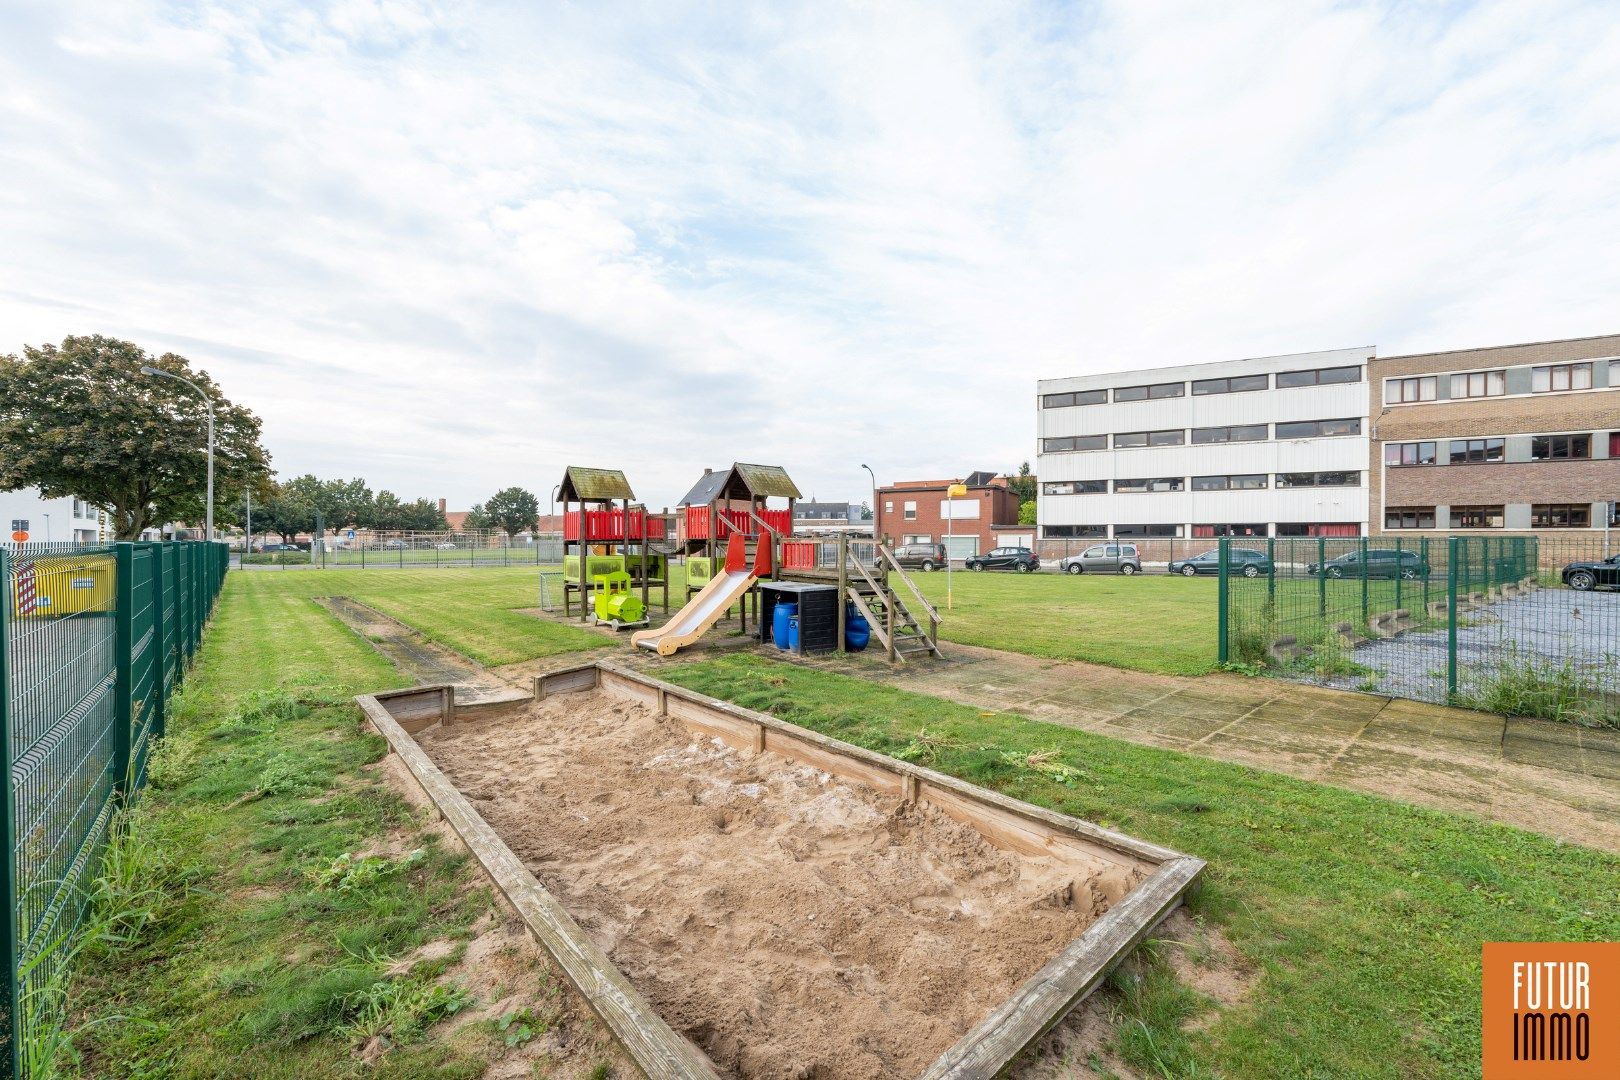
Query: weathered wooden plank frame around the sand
(660, 1052)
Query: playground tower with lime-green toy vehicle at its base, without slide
(613, 546)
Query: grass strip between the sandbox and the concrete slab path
(1363, 916)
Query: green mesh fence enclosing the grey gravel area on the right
(1503, 624)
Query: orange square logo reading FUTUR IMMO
(1551, 1010)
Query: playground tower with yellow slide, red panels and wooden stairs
(728, 511)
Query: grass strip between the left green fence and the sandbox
(262, 911)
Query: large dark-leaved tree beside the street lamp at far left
(82, 420)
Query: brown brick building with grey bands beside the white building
(1514, 440)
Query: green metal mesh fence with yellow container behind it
(93, 642)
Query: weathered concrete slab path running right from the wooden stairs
(1551, 778)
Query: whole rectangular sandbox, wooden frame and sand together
(740, 896)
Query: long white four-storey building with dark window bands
(1250, 448)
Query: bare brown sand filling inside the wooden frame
(788, 922)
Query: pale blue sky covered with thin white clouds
(454, 247)
